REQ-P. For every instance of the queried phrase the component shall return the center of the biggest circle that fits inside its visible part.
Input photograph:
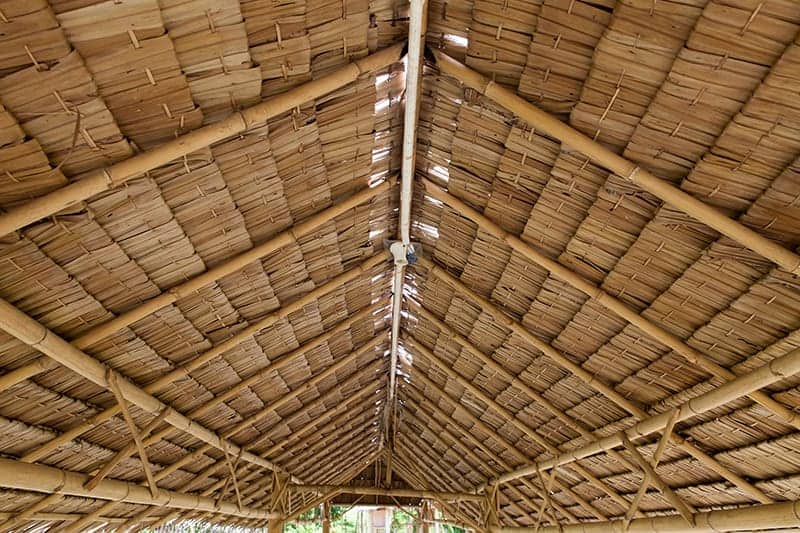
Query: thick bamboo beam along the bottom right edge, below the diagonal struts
(754, 518)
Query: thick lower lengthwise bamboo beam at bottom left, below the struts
(48, 480)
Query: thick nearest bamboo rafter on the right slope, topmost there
(621, 166)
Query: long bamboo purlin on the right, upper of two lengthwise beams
(772, 372)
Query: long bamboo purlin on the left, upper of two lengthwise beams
(35, 335)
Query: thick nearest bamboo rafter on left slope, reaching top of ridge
(118, 173)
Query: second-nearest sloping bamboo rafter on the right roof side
(785, 415)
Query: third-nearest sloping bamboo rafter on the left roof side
(219, 349)
